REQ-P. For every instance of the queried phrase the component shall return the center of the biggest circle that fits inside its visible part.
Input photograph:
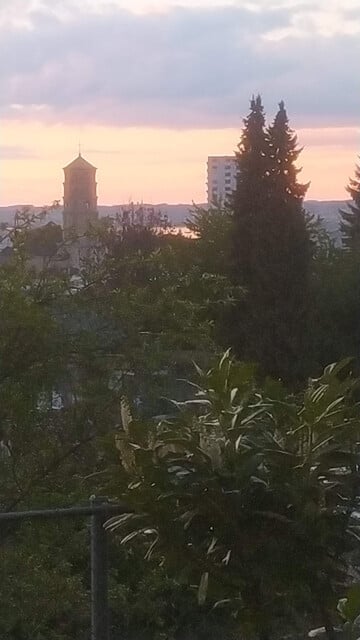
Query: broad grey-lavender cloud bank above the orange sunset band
(181, 68)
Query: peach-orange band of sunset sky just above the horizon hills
(152, 165)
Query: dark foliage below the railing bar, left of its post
(42, 592)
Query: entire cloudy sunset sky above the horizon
(150, 88)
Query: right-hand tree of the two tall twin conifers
(289, 248)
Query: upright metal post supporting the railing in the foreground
(99, 582)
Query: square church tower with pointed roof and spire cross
(80, 199)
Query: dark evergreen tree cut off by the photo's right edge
(350, 219)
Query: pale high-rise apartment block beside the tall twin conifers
(221, 177)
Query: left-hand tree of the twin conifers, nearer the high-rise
(250, 208)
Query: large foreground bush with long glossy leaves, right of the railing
(249, 492)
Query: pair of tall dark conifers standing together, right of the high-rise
(272, 247)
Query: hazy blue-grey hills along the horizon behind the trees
(177, 213)
